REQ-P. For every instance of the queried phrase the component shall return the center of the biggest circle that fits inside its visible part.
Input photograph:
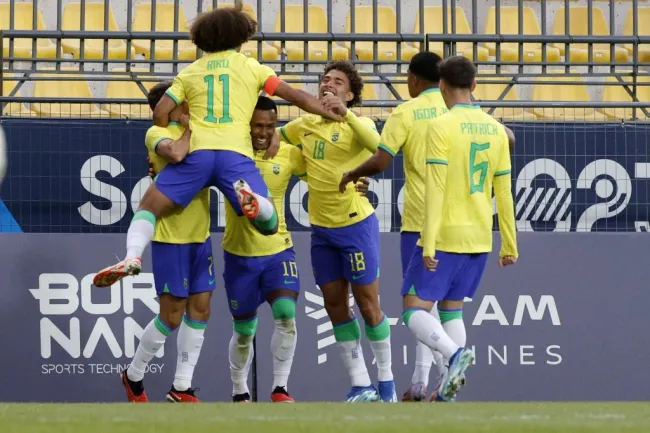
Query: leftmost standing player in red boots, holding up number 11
(183, 268)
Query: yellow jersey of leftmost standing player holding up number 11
(182, 226)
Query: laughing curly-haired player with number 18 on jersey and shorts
(345, 230)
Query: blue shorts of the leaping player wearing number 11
(204, 168)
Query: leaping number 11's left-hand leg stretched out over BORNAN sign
(177, 184)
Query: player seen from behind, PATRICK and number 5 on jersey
(467, 154)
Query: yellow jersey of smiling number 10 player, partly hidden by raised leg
(240, 237)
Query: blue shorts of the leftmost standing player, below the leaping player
(183, 269)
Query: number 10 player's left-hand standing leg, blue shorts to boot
(241, 279)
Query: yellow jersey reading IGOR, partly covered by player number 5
(406, 129)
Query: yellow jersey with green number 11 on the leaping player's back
(222, 90)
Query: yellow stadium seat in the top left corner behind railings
(23, 20)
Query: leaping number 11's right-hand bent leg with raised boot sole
(243, 186)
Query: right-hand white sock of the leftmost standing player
(189, 344)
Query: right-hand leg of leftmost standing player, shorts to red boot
(190, 334)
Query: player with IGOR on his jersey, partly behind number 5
(406, 129)
